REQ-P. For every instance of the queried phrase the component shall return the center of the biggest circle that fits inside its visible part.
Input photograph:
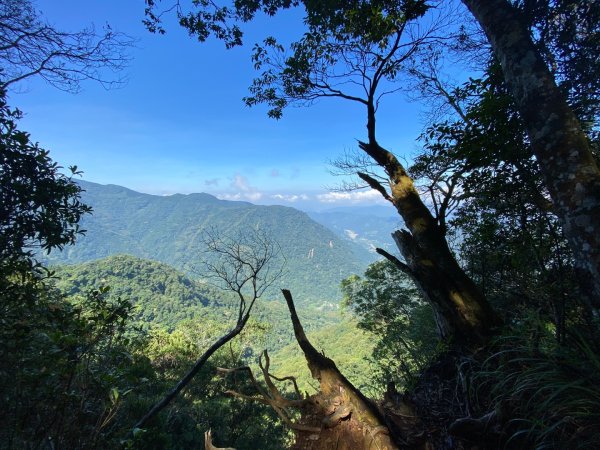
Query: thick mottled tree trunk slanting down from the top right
(562, 149)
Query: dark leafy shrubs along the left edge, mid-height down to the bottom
(65, 366)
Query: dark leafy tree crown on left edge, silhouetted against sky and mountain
(40, 207)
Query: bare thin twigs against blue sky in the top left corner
(30, 47)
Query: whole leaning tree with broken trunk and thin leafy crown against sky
(356, 52)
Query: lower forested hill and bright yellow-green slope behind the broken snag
(166, 298)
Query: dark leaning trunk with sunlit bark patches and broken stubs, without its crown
(462, 312)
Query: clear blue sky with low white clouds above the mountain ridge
(179, 124)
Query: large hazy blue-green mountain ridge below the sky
(169, 229)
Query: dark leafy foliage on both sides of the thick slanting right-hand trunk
(509, 238)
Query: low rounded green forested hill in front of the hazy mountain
(165, 296)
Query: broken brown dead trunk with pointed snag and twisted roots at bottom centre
(339, 416)
